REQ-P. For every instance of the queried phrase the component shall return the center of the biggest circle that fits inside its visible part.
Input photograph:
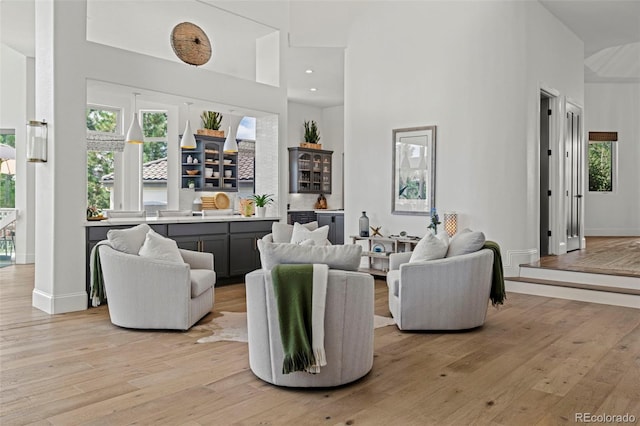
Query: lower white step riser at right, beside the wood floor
(603, 297)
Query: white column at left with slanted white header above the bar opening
(65, 60)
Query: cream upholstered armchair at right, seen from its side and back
(444, 294)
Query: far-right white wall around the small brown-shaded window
(616, 107)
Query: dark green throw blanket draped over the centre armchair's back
(293, 289)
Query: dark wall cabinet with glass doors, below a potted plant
(310, 171)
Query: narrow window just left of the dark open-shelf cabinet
(154, 160)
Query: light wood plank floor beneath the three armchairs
(535, 361)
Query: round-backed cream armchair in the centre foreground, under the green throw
(348, 330)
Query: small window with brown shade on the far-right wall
(602, 159)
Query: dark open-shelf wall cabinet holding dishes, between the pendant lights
(209, 156)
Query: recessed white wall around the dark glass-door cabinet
(331, 126)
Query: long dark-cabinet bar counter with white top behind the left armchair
(231, 239)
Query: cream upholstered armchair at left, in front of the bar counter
(148, 293)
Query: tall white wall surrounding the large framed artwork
(473, 69)
